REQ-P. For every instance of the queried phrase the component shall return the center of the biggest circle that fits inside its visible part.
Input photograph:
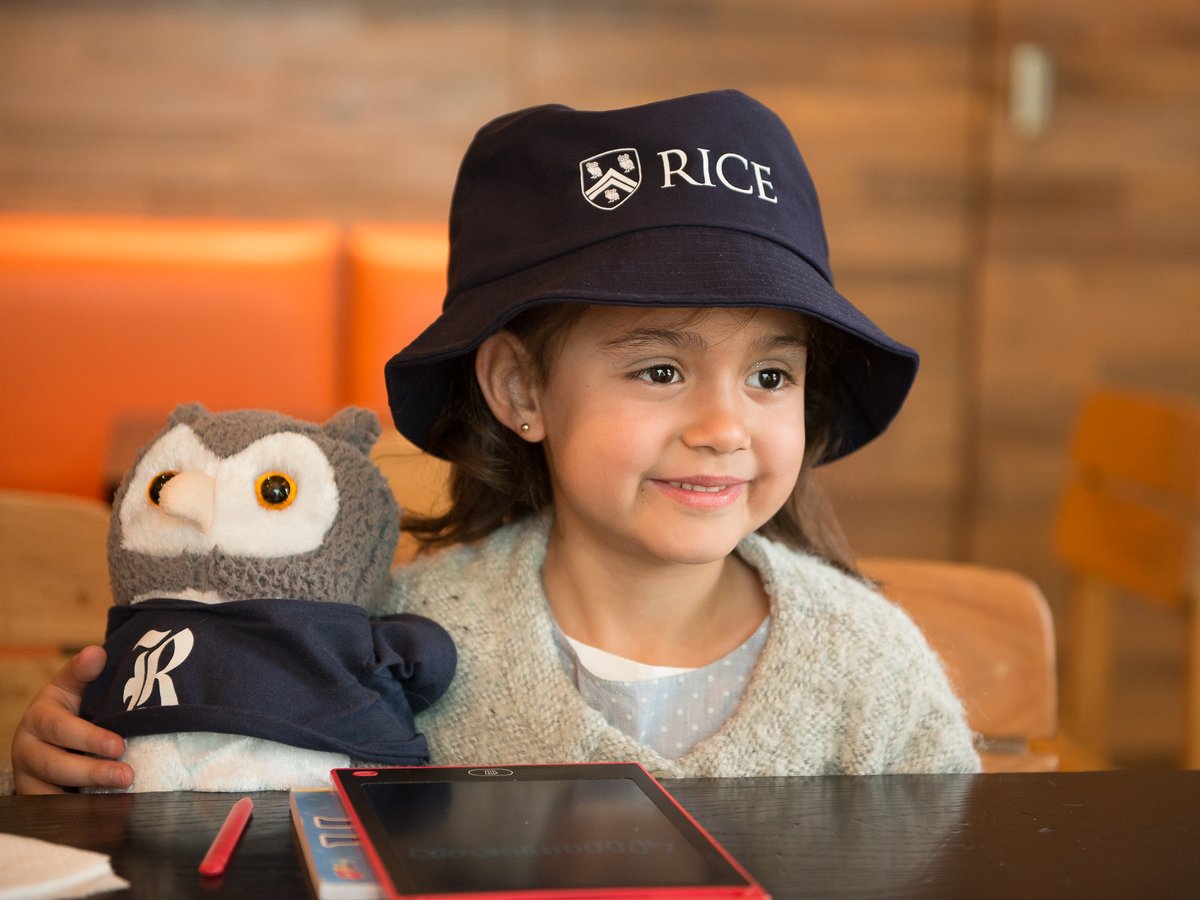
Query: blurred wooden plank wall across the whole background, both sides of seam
(1023, 268)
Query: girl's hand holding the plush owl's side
(43, 746)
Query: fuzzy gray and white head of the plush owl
(345, 495)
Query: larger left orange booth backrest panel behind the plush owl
(113, 320)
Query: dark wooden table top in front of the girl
(1106, 835)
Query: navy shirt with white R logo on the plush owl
(310, 675)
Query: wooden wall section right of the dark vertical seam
(1090, 273)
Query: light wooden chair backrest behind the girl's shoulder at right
(994, 633)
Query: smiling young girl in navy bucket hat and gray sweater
(640, 361)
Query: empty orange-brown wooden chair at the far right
(1130, 526)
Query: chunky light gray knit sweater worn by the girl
(845, 683)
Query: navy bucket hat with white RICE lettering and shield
(695, 202)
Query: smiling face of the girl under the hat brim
(674, 434)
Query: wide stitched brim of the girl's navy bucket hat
(668, 267)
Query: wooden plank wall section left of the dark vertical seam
(362, 111)
